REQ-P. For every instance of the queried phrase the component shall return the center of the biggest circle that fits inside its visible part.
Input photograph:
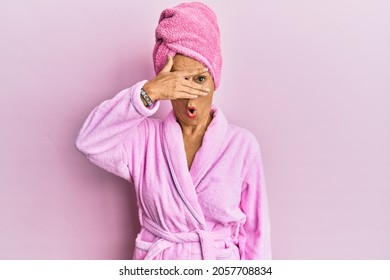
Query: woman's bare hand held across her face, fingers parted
(175, 85)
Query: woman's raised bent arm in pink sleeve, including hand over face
(102, 137)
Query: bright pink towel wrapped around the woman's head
(189, 29)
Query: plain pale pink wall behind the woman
(311, 79)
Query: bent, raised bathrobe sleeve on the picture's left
(113, 126)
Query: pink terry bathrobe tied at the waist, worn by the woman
(216, 210)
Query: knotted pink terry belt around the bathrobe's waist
(167, 239)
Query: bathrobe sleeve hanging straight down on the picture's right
(254, 235)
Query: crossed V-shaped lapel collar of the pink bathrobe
(186, 181)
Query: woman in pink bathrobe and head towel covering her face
(199, 180)
